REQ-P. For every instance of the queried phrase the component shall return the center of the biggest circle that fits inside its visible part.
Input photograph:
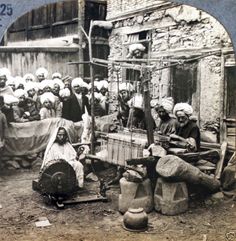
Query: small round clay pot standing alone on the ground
(135, 219)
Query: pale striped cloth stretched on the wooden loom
(123, 145)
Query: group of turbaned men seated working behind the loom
(176, 121)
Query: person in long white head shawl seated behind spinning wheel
(60, 147)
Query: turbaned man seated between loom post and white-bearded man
(166, 124)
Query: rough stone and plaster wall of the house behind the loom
(178, 33)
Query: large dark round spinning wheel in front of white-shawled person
(57, 178)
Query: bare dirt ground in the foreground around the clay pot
(21, 207)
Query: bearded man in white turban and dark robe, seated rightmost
(187, 130)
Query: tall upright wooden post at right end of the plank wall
(81, 13)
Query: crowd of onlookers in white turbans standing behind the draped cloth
(37, 97)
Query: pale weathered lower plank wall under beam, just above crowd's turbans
(26, 60)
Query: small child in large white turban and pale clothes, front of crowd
(47, 101)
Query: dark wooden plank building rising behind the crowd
(48, 36)
